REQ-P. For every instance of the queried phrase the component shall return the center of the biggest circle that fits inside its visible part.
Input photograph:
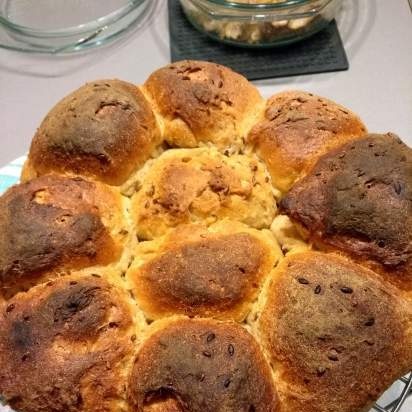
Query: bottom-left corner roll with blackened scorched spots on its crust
(65, 347)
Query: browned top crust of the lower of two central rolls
(209, 276)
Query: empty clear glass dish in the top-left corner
(62, 26)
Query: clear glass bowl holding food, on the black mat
(256, 23)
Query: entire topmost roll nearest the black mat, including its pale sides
(204, 102)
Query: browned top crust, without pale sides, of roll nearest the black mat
(206, 96)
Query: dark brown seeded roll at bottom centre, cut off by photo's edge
(203, 366)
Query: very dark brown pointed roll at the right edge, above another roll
(358, 199)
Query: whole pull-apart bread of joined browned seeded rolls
(186, 246)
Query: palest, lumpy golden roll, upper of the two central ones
(202, 185)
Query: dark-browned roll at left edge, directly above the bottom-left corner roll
(54, 223)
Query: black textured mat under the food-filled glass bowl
(322, 52)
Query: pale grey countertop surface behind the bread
(377, 35)
